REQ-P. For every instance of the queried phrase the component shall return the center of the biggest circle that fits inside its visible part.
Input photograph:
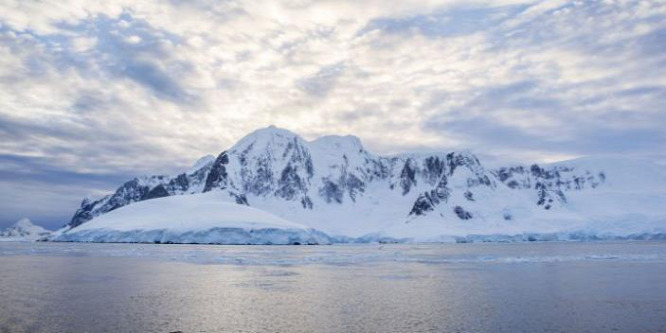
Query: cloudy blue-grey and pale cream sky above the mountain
(93, 93)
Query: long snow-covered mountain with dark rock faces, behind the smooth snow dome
(333, 184)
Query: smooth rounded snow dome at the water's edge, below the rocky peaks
(202, 218)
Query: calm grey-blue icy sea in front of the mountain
(519, 287)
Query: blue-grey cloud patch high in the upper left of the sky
(147, 62)
